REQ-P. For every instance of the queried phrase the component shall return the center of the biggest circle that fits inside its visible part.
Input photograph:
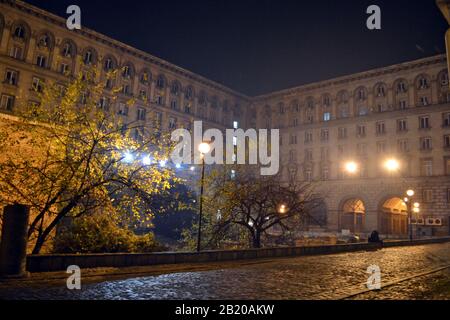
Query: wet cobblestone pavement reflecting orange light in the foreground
(310, 277)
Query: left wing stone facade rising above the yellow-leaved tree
(36, 47)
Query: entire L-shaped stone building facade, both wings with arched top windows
(399, 113)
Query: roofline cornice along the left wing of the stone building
(87, 32)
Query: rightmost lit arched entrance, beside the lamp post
(394, 217)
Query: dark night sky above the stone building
(259, 46)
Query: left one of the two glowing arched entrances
(353, 215)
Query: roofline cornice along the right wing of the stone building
(371, 73)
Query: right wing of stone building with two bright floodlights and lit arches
(341, 133)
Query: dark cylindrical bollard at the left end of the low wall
(13, 246)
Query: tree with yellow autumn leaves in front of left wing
(68, 156)
